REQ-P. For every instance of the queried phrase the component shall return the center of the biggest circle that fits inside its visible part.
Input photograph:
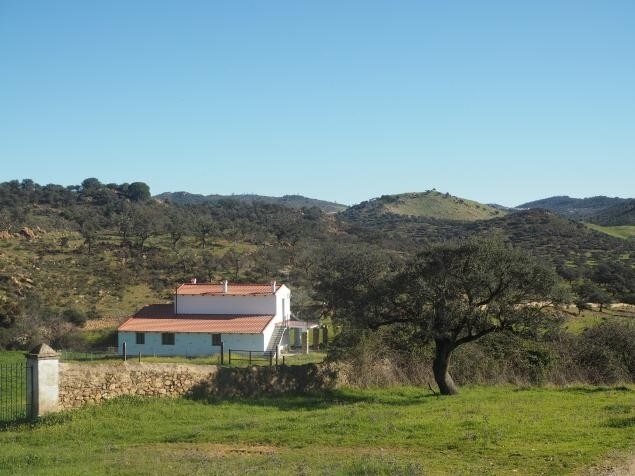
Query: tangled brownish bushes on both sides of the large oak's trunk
(601, 355)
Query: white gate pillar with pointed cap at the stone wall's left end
(42, 381)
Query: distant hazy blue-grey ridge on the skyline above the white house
(291, 201)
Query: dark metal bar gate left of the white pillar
(13, 391)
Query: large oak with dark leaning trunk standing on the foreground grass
(458, 293)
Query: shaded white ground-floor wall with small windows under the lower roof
(189, 344)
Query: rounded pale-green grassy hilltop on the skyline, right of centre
(429, 204)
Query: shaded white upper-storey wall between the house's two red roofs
(257, 305)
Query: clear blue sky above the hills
(496, 101)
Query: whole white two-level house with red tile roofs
(241, 316)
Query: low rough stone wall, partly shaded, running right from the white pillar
(81, 383)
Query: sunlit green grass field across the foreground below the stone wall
(484, 430)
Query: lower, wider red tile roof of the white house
(161, 318)
